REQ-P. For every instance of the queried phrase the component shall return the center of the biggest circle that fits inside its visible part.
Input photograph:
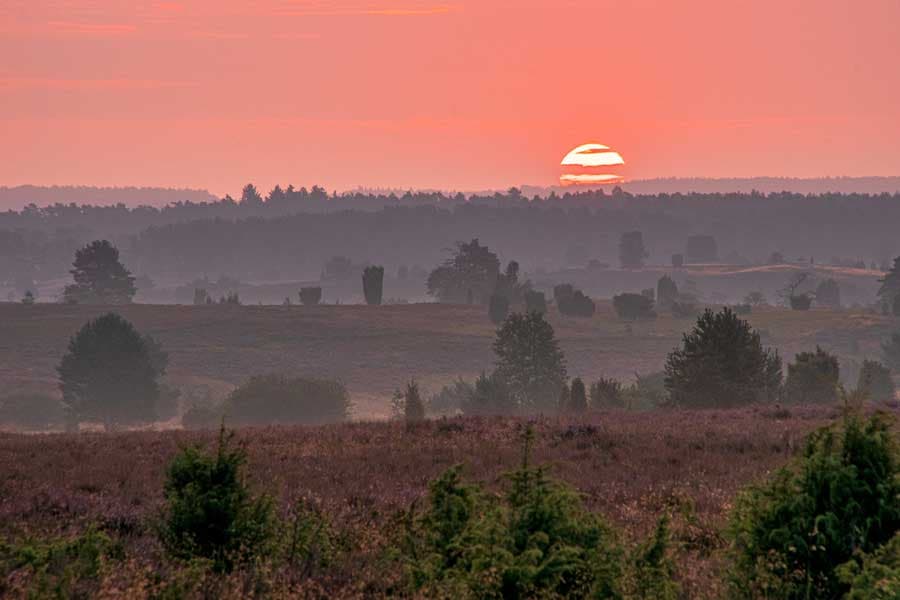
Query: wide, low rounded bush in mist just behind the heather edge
(276, 399)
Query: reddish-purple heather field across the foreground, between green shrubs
(629, 466)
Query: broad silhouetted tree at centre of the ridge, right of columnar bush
(469, 275)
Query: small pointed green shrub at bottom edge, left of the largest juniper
(650, 572)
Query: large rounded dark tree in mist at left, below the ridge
(110, 373)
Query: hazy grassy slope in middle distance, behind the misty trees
(374, 350)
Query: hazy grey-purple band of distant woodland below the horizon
(291, 233)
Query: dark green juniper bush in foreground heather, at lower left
(210, 512)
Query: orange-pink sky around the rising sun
(456, 95)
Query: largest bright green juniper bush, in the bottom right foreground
(789, 535)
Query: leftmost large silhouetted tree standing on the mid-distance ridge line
(100, 278)
